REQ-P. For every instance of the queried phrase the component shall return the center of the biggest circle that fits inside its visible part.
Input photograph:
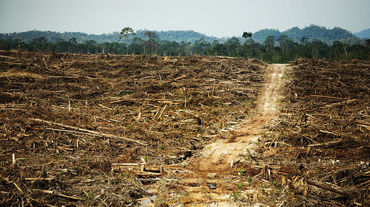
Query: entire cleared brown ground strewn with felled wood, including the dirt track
(106, 130)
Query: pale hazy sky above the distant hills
(212, 17)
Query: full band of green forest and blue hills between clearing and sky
(275, 48)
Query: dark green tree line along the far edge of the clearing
(273, 50)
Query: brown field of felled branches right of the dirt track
(324, 134)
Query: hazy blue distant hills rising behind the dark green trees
(312, 32)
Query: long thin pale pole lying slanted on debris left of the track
(90, 132)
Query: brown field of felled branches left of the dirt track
(65, 118)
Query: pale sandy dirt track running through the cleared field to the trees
(207, 178)
